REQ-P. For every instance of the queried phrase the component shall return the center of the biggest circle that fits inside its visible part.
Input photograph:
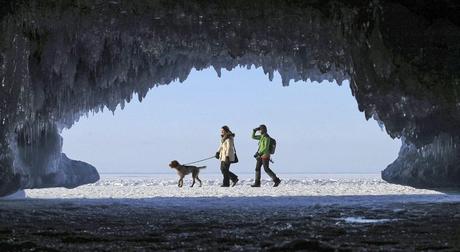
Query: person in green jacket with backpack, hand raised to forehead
(263, 155)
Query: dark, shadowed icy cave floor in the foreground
(50, 225)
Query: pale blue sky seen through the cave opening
(317, 126)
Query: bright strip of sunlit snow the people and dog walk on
(295, 189)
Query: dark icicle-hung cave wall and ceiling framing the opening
(62, 59)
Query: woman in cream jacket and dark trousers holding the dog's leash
(226, 154)
